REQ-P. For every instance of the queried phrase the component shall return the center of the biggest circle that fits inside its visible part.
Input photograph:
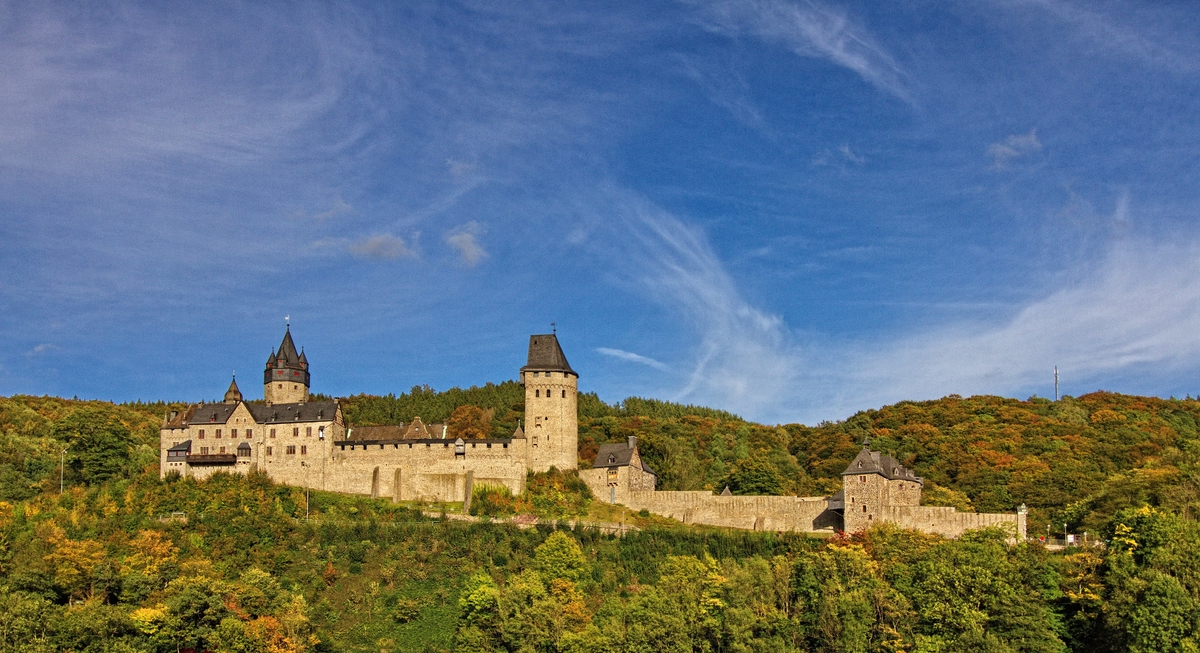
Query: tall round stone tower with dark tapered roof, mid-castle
(551, 426)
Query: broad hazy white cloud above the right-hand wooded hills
(1138, 309)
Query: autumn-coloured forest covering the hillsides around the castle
(123, 561)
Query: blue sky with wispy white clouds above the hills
(788, 209)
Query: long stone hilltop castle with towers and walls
(308, 444)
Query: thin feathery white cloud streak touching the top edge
(809, 29)
